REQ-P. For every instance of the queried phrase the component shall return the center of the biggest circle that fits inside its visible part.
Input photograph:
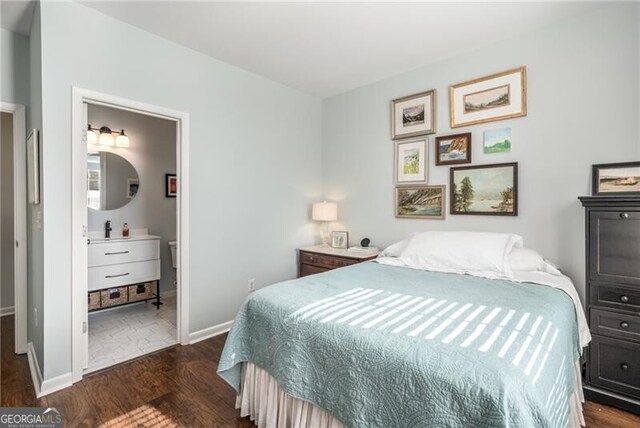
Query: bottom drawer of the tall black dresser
(614, 364)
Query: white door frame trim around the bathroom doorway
(79, 213)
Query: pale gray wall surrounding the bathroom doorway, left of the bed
(254, 161)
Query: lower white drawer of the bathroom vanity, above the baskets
(123, 274)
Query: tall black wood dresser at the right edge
(613, 300)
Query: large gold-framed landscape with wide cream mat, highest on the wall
(489, 98)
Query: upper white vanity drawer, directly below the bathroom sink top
(115, 252)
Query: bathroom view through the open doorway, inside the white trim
(131, 228)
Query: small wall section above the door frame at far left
(14, 67)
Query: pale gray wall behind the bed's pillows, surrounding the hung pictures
(582, 109)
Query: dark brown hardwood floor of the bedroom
(177, 387)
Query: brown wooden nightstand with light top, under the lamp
(321, 259)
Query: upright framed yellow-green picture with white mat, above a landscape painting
(411, 162)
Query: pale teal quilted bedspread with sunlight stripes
(385, 346)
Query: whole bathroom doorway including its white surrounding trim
(130, 204)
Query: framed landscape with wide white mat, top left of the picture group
(413, 115)
